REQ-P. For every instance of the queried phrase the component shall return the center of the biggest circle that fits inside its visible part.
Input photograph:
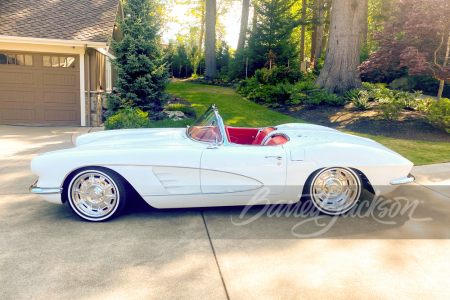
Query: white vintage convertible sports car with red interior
(210, 164)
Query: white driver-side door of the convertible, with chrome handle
(235, 170)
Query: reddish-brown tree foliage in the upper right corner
(413, 39)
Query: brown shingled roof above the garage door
(80, 20)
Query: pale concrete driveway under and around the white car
(46, 252)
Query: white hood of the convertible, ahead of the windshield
(134, 138)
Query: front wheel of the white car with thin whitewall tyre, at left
(96, 195)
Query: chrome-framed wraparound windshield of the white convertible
(206, 128)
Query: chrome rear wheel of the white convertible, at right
(335, 190)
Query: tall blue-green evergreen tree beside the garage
(142, 72)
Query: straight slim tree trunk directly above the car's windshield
(210, 39)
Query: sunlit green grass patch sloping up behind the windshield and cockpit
(234, 109)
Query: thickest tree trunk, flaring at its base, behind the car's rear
(340, 69)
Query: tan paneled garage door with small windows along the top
(38, 88)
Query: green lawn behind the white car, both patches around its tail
(238, 111)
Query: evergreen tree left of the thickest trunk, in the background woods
(272, 32)
